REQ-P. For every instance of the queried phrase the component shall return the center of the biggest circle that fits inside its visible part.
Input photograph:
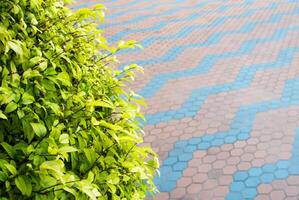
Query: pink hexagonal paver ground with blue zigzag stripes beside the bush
(222, 83)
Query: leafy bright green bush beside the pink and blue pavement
(69, 125)
